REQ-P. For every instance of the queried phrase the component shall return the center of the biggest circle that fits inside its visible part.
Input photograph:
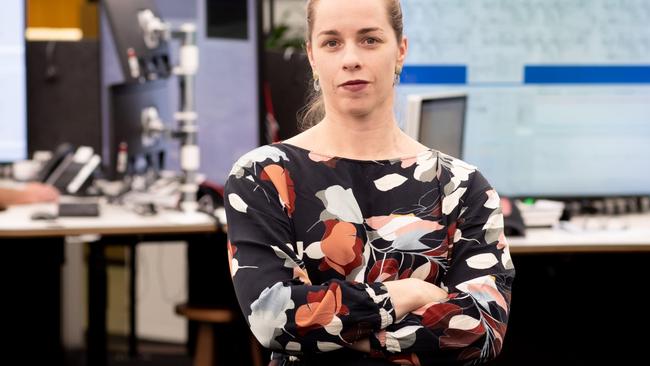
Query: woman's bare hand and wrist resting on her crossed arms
(412, 293)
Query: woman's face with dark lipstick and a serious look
(355, 53)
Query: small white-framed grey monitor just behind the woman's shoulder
(437, 121)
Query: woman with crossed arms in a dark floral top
(353, 244)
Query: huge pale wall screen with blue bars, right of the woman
(558, 90)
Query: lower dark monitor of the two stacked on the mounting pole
(131, 105)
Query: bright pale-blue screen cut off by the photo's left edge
(13, 115)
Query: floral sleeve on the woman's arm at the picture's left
(285, 311)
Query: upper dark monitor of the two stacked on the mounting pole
(143, 55)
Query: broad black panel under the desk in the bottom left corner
(30, 278)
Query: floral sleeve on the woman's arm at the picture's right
(470, 325)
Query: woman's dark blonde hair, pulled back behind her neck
(314, 111)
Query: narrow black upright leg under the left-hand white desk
(97, 294)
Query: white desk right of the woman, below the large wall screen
(629, 233)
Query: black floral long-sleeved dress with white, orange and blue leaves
(312, 239)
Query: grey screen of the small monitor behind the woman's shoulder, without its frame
(442, 122)
